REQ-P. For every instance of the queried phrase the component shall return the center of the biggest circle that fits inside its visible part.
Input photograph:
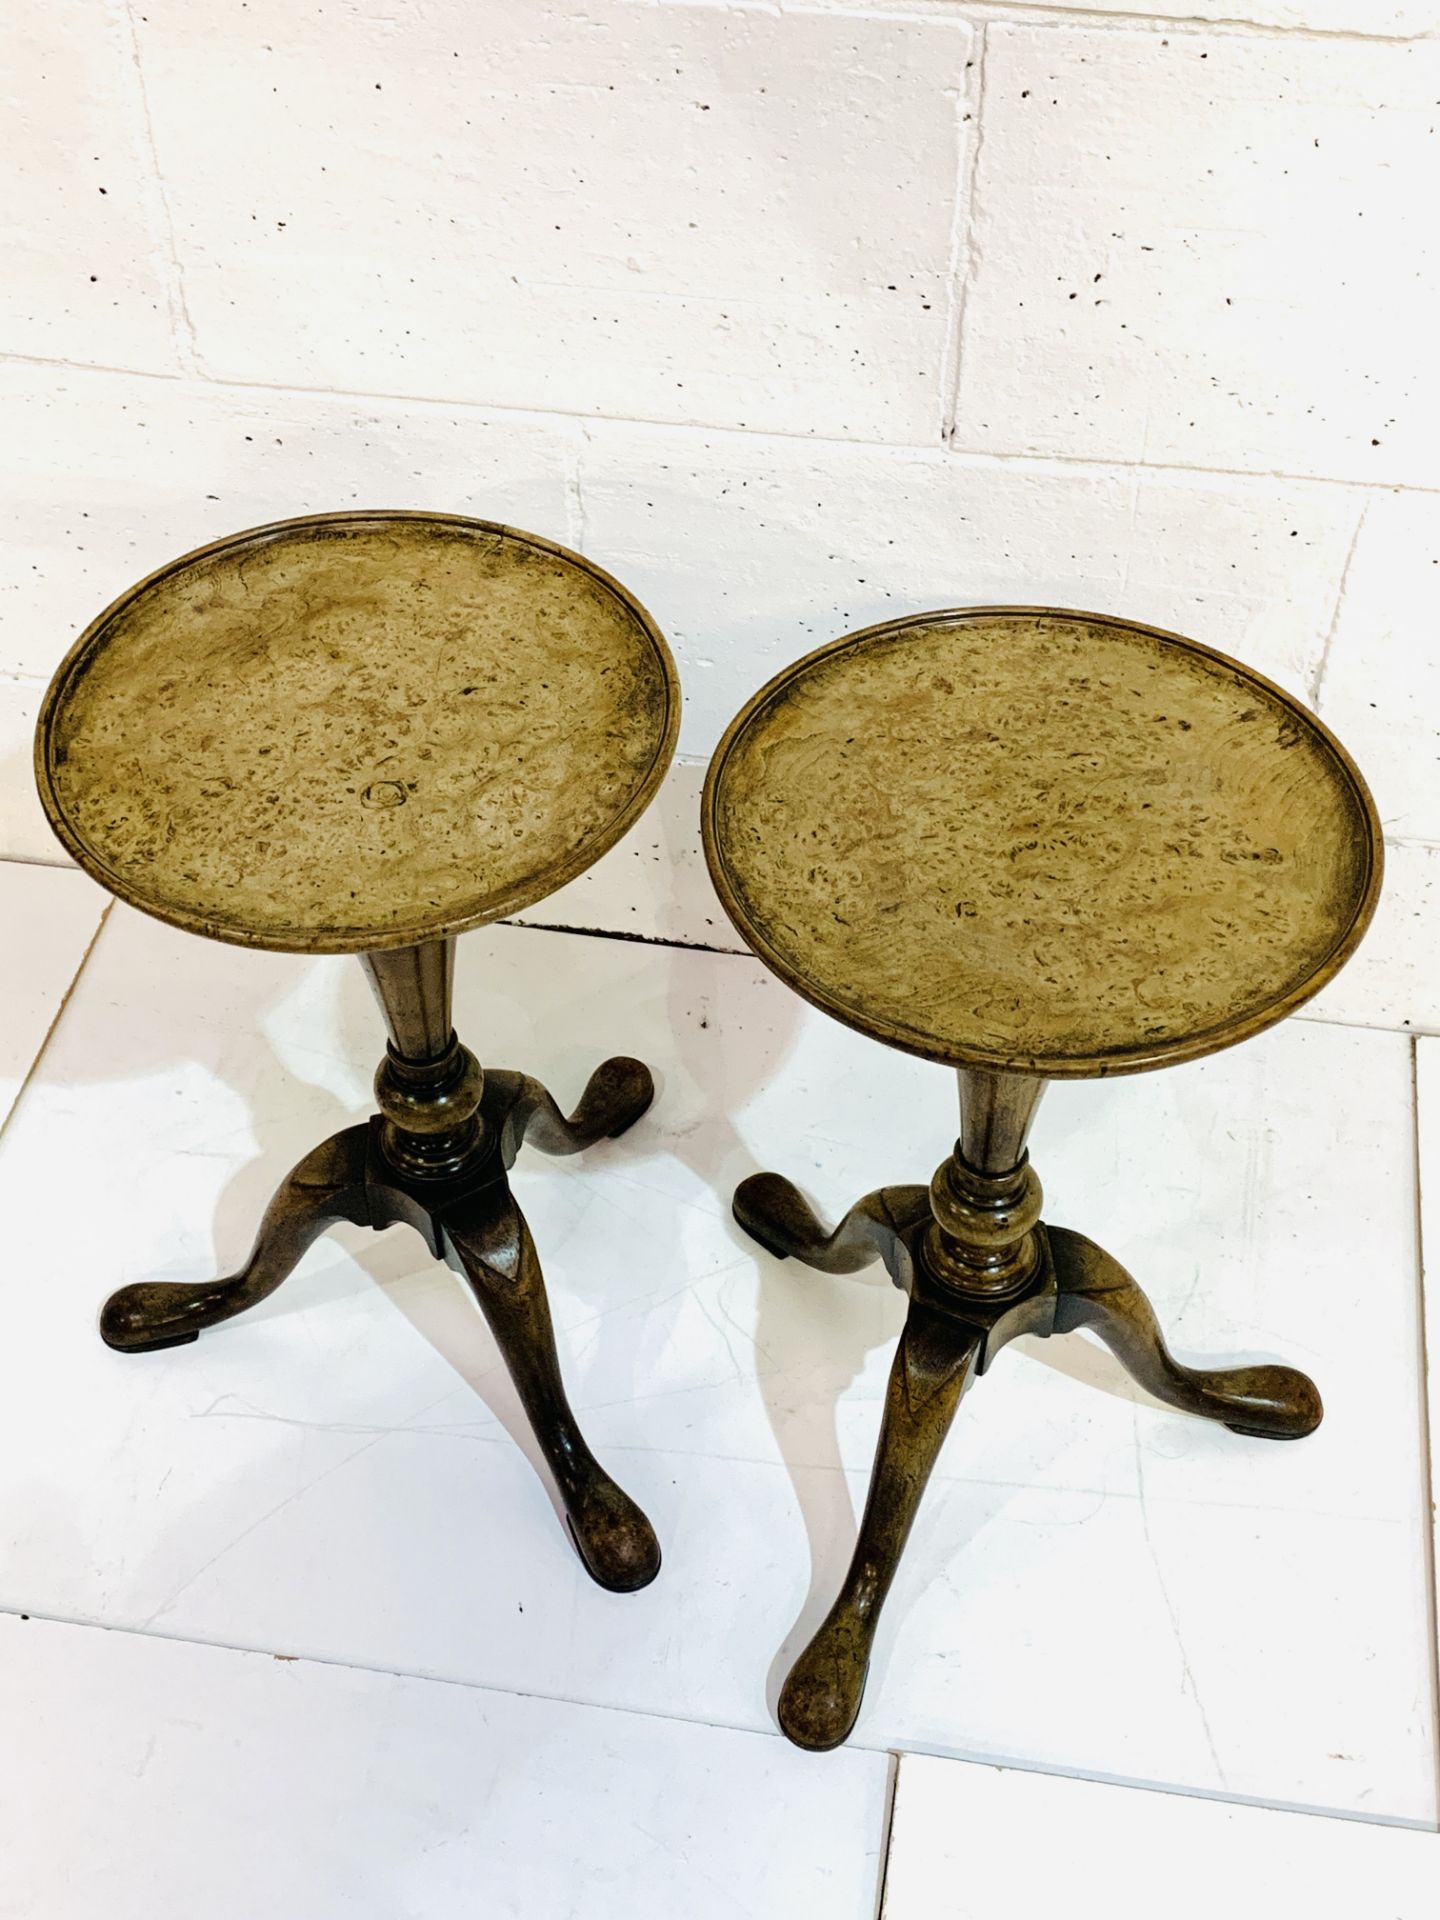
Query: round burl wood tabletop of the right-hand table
(1042, 842)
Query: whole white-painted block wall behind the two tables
(769, 308)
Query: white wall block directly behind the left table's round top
(110, 475)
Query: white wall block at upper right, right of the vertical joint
(1211, 251)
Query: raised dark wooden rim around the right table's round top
(1057, 1067)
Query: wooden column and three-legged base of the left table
(437, 1159)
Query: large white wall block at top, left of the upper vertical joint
(625, 210)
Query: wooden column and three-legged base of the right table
(980, 1272)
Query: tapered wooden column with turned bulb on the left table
(429, 1086)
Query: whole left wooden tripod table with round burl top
(368, 732)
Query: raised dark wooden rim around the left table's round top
(339, 942)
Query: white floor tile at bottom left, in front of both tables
(158, 1779)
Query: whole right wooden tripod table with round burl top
(1028, 846)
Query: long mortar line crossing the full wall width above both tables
(923, 452)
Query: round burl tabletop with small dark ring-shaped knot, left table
(356, 731)
